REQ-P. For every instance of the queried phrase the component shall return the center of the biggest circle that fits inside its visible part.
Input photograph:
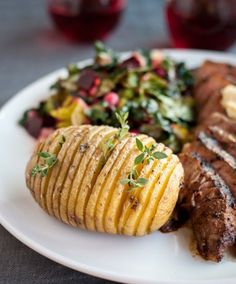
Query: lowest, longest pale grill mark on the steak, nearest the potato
(217, 180)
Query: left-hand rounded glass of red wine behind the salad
(86, 20)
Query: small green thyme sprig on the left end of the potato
(49, 161)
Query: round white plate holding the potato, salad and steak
(157, 258)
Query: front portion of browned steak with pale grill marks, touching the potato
(209, 194)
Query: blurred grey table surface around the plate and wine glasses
(29, 49)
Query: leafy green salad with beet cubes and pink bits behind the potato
(154, 89)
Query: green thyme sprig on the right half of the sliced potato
(148, 155)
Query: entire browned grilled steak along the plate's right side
(208, 198)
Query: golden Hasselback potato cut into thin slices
(83, 188)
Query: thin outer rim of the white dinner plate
(79, 266)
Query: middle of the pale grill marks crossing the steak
(212, 144)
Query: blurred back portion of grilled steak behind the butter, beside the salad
(211, 78)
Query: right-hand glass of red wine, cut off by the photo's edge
(202, 24)
